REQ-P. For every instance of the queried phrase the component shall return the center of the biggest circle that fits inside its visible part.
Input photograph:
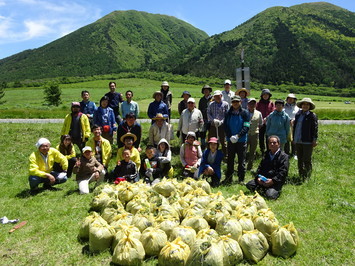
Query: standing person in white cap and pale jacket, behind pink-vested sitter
(191, 119)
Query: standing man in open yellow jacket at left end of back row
(77, 125)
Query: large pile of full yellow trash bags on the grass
(183, 223)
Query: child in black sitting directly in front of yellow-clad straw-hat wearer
(126, 169)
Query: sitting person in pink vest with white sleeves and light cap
(190, 156)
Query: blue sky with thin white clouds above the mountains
(29, 24)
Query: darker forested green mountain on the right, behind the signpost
(307, 43)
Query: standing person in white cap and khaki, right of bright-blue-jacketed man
(256, 121)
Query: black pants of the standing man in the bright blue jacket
(239, 148)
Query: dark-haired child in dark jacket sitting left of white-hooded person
(151, 170)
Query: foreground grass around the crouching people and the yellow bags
(322, 209)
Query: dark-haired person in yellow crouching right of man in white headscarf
(66, 148)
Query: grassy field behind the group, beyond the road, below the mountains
(29, 102)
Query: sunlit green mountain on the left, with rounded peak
(121, 41)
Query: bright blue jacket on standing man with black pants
(237, 123)
